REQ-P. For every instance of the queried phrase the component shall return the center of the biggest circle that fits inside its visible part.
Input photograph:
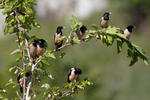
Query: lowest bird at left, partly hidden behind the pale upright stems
(21, 80)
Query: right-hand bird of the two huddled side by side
(40, 47)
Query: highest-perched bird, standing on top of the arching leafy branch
(104, 20)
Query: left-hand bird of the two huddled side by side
(33, 49)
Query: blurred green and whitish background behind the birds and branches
(113, 78)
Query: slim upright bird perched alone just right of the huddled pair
(57, 37)
